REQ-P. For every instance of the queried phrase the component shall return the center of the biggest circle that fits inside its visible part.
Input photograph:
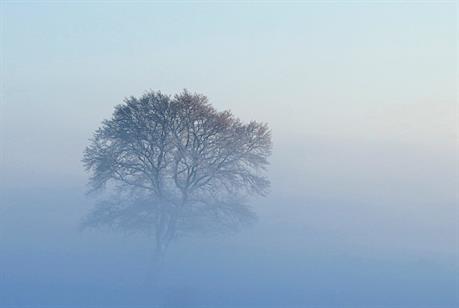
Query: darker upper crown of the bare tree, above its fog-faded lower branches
(179, 150)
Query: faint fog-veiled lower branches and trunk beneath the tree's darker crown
(165, 224)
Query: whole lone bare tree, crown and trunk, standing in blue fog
(174, 162)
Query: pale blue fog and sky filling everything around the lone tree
(361, 101)
